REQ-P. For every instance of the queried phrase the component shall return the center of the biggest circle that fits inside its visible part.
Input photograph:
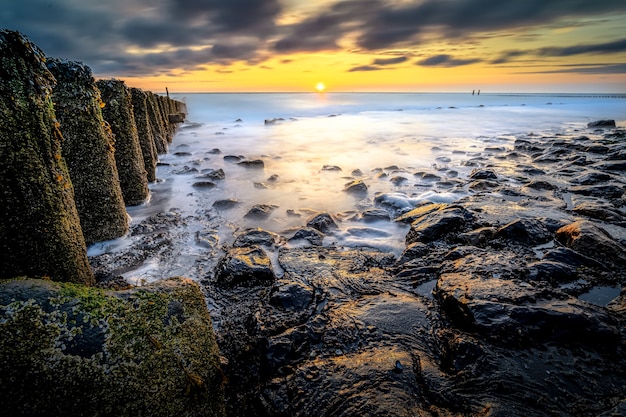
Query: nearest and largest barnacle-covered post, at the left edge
(40, 228)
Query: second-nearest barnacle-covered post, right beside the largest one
(88, 149)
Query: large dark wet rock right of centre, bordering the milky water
(439, 225)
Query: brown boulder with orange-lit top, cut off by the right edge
(590, 240)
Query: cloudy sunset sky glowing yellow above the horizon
(348, 45)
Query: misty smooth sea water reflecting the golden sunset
(319, 142)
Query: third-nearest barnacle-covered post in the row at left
(118, 111)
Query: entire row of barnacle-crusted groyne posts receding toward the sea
(74, 153)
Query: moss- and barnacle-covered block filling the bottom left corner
(71, 350)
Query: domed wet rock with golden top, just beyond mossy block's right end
(246, 266)
